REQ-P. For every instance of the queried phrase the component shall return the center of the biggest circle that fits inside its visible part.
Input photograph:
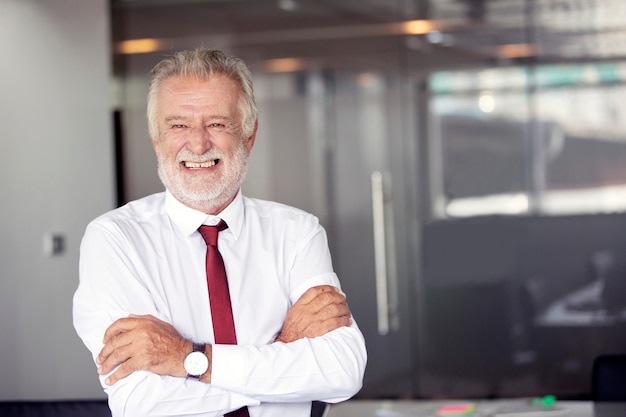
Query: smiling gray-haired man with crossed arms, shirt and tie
(144, 305)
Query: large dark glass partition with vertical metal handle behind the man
(490, 133)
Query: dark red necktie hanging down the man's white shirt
(219, 297)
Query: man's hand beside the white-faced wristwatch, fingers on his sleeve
(142, 343)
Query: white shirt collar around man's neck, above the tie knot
(189, 220)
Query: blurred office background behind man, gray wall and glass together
(467, 157)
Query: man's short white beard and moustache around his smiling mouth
(201, 192)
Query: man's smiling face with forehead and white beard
(202, 156)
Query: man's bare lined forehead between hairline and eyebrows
(214, 93)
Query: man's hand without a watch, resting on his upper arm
(319, 310)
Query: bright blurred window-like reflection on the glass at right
(545, 140)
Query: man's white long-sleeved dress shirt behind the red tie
(148, 258)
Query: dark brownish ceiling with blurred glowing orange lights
(374, 32)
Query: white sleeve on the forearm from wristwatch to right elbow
(327, 368)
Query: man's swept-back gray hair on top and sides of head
(204, 63)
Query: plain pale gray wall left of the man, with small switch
(56, 174)
